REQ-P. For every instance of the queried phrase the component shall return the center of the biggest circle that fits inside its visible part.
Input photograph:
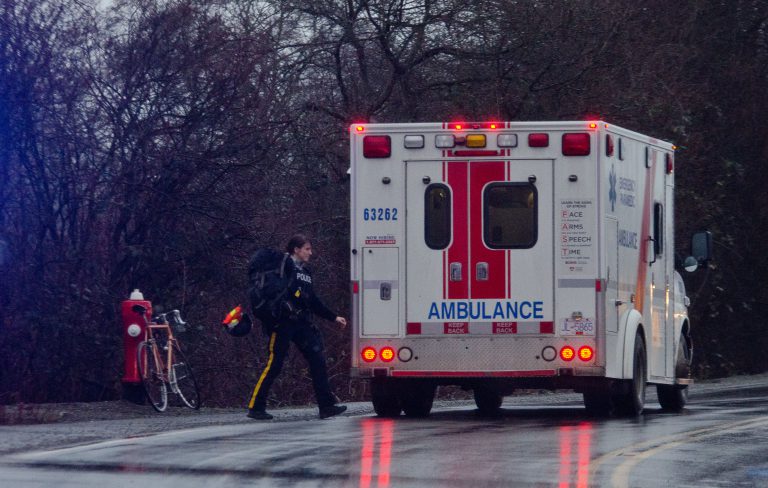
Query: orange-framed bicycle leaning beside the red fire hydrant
(162, 364)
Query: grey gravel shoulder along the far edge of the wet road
(70, 424)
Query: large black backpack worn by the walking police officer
(270, 277)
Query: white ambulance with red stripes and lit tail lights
(517, 255)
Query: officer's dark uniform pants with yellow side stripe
(310, 342)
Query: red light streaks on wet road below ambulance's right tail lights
(581, 435)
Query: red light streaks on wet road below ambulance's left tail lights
(377, 435)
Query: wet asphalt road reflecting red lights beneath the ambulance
(721, 439)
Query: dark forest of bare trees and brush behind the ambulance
(155, 144)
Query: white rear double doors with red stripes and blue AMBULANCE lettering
(479, 247)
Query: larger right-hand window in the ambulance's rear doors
(510, 215)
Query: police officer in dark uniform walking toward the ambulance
(298, 328)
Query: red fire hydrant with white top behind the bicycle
(133, 334)
